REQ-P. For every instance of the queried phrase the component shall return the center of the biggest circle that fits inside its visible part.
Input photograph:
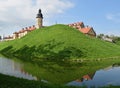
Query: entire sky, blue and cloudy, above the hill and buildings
(102, 15)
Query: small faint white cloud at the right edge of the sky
(114, 17)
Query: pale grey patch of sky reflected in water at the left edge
(12, 68)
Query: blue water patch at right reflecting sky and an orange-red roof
(103, 77)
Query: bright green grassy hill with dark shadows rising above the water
(59, 42)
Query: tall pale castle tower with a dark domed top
(39, 19)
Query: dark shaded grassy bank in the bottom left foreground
(12, 82)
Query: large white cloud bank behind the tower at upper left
(14, 13)
